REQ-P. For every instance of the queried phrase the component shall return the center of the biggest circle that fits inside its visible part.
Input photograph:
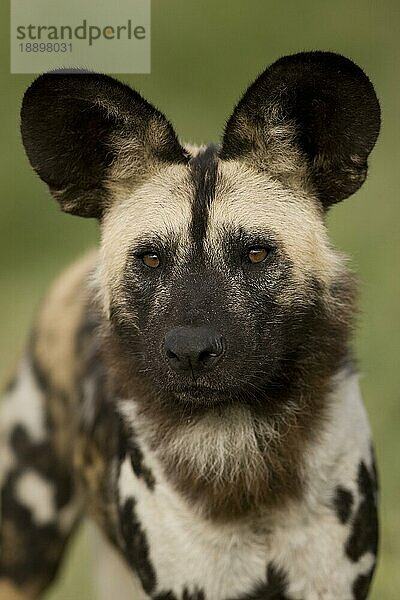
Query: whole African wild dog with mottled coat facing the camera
(190, 387)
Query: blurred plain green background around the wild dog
(203, 56)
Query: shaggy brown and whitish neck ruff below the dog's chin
(231, 459)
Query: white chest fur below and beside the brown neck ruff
(226, 561)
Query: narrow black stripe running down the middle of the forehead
(203, 169)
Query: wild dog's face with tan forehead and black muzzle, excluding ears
(215, 282)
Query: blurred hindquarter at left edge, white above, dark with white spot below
(39, 505)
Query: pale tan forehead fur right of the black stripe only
(256, 202)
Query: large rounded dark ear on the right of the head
(313, 115)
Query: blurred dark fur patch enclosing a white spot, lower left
(38, 510)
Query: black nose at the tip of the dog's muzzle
(193, 349)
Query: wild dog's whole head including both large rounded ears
(215, 271)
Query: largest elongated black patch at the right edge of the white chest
(363, 536)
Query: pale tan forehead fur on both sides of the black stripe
(244, 197)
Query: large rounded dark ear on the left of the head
(82, 131)
